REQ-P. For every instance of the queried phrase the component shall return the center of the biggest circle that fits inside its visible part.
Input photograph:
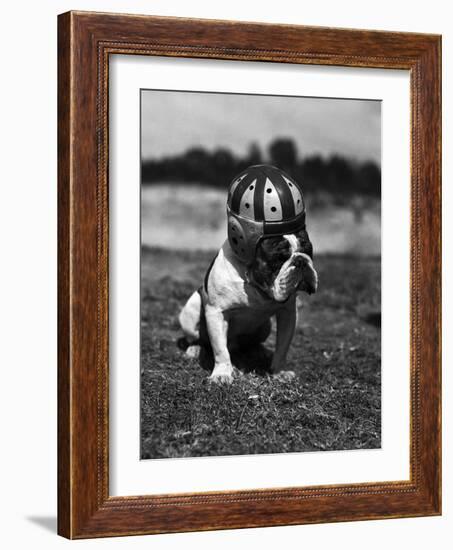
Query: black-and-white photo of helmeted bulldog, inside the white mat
(260, 274)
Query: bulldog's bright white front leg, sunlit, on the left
(217, 326)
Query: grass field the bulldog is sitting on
(333, 403)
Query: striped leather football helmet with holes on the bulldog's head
(263, 201)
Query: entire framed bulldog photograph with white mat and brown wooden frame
(249, 275)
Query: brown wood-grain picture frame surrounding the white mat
(85, 41)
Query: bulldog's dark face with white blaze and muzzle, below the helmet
(283, 265)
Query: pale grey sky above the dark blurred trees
(173, 122)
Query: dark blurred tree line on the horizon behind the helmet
(336, 176)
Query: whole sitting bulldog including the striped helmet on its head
(255, 276)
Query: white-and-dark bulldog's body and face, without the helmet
(234, 307)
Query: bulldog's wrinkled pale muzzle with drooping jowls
(297, 273)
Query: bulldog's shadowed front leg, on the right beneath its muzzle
(286, 325)
